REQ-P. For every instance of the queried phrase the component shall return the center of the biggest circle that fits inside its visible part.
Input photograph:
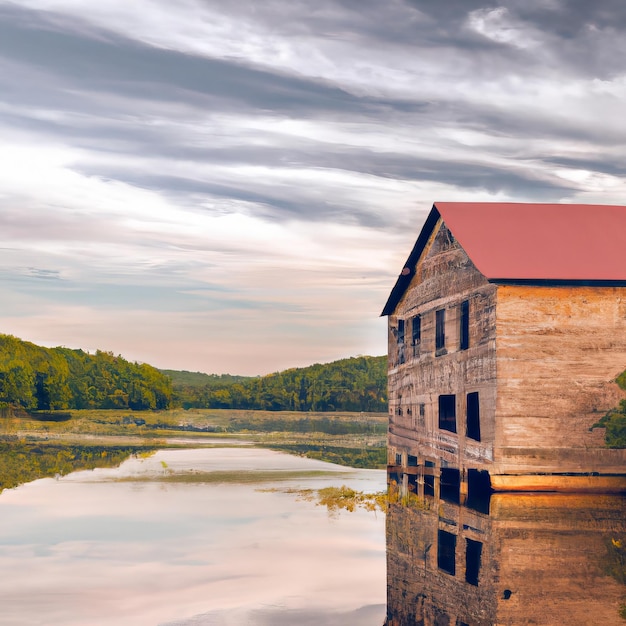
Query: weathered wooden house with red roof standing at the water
(507, 329)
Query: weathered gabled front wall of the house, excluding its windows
(418, 374)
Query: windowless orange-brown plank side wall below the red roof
(559, 350)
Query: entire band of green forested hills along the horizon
(35, 378)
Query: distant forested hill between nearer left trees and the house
(353, 384)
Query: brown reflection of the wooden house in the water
(535, 559)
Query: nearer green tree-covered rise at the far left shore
(37, 378)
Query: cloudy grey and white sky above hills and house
(234, 187)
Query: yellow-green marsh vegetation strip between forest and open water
(31, 448)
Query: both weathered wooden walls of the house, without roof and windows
(542, 359)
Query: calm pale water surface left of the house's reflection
(192, 537)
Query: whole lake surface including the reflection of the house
(232, 536)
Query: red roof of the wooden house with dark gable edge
(530, 243)
